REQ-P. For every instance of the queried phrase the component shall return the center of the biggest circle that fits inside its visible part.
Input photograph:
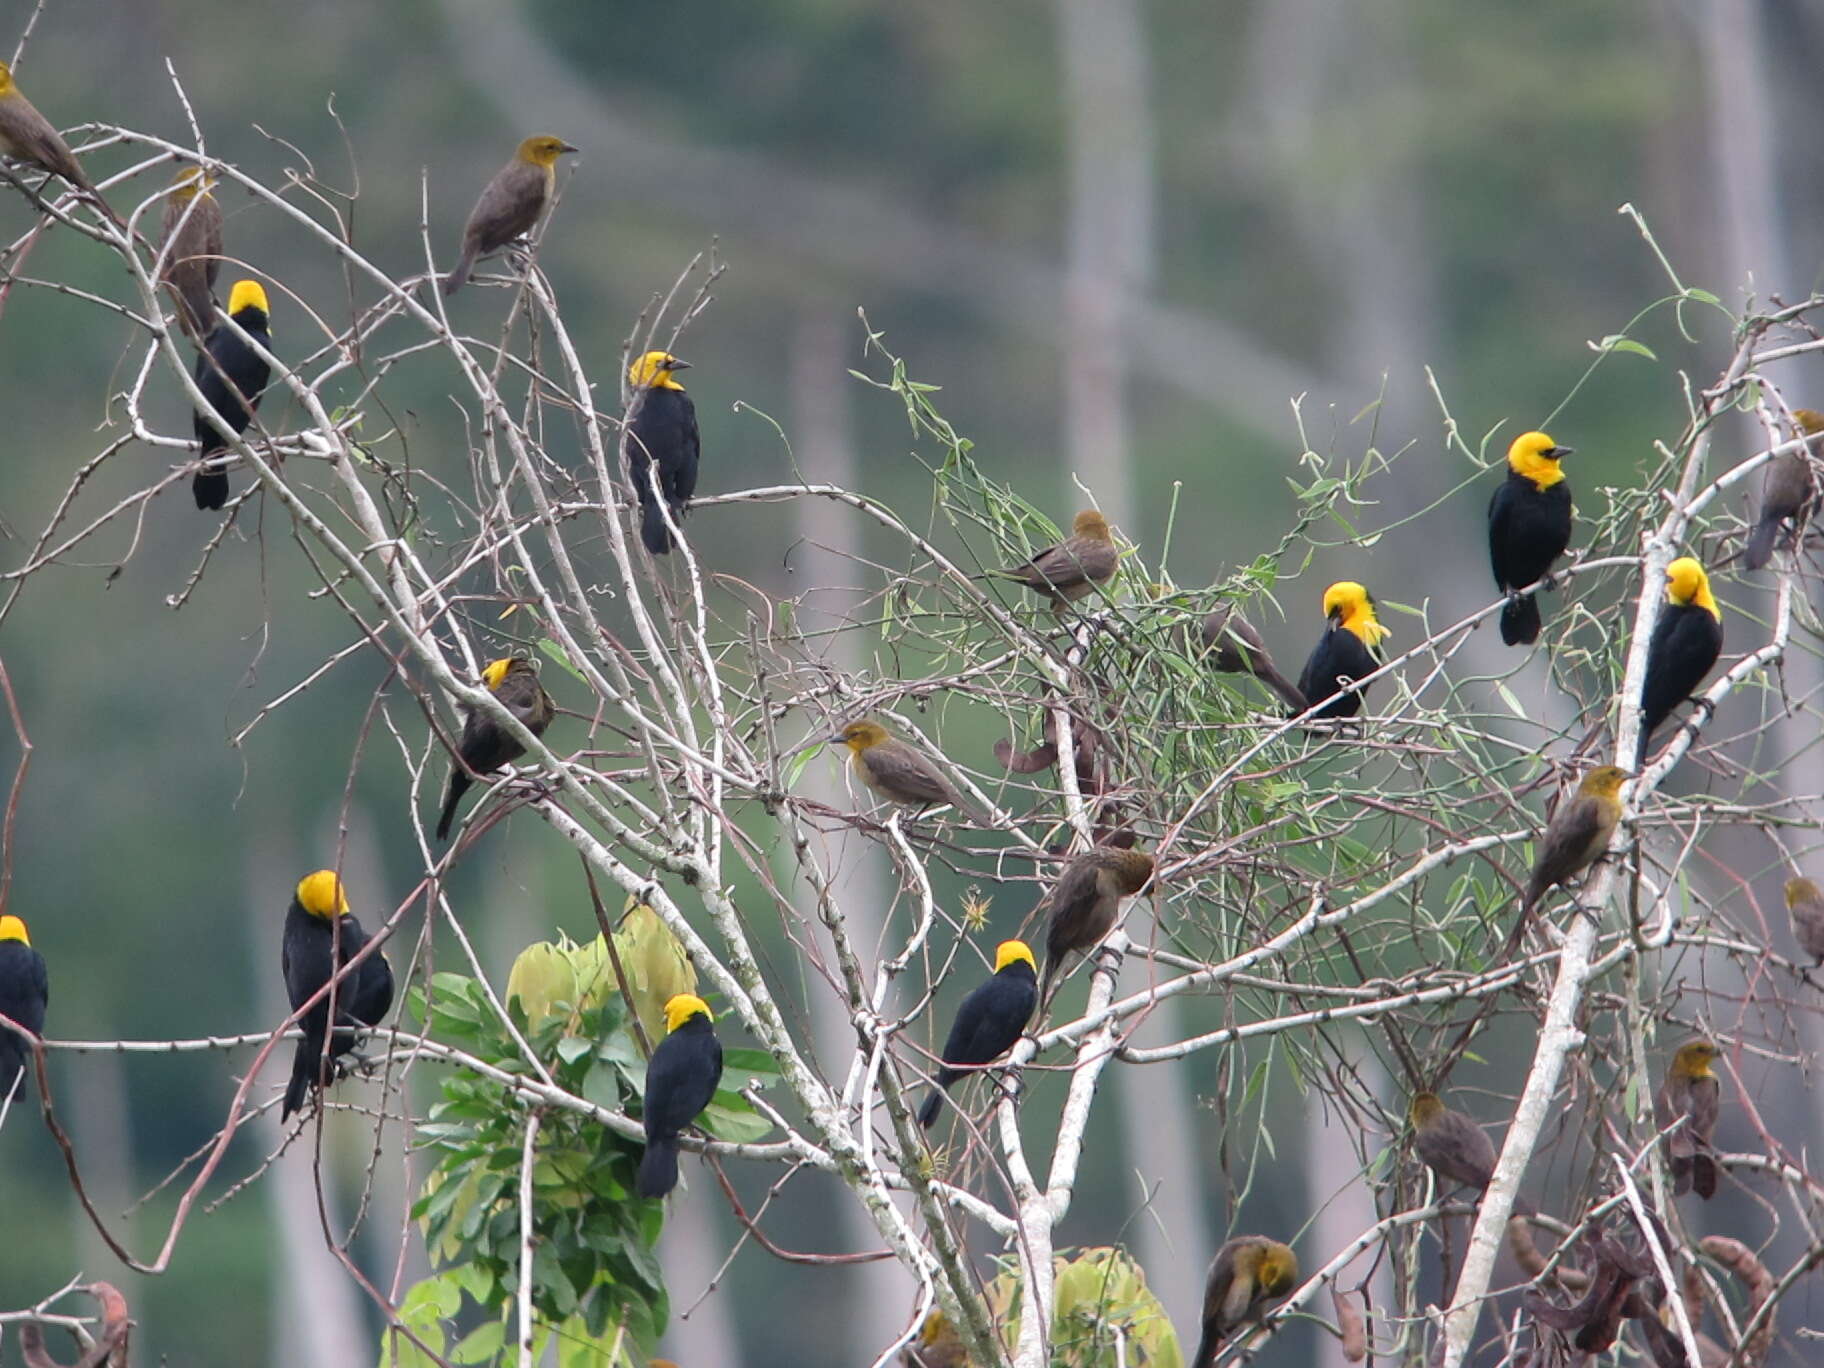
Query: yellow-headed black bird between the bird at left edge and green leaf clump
(316, 924)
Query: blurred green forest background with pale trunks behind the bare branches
(1123, 238)
